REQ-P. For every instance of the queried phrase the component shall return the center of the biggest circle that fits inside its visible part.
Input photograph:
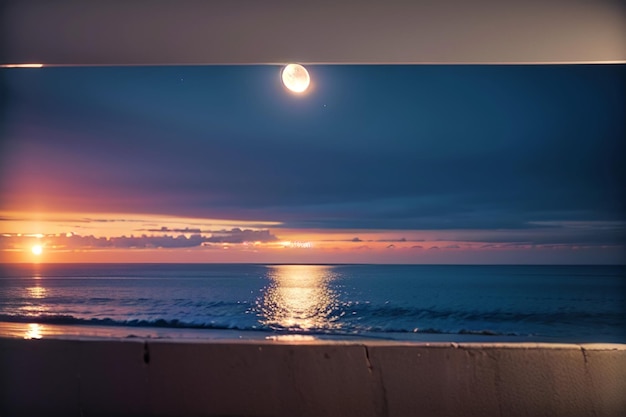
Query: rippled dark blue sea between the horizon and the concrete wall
(553, 303)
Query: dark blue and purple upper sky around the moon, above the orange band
(368, 147)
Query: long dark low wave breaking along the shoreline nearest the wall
(178, 324)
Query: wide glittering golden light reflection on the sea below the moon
(299, 298)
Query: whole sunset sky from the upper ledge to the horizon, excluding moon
(454, 164)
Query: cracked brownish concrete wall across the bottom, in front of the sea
(264, 378)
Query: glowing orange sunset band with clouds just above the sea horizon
(105, 238)
